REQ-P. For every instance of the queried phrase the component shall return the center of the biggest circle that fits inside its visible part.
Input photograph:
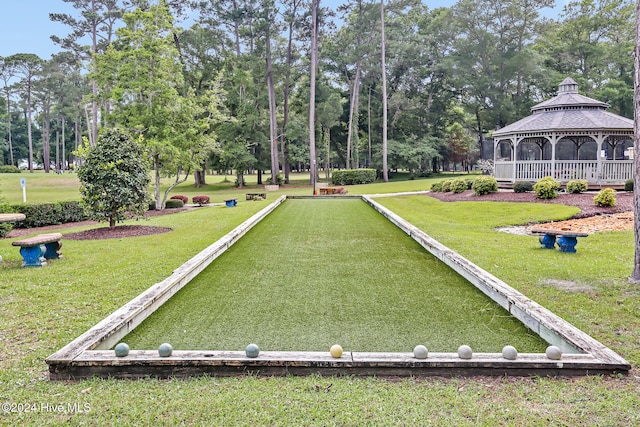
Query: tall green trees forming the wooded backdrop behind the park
(231, 91)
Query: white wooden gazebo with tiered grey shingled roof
(569, 136)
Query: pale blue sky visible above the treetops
(25, 26)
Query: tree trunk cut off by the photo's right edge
(635, 276)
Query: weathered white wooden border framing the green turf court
(89, 355)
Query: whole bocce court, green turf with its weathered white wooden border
(306, 273)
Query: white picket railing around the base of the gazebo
(610, 171)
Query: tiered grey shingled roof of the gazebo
(567, 111)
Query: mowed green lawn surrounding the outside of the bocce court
(43, 309)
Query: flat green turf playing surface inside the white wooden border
(319, 272)
